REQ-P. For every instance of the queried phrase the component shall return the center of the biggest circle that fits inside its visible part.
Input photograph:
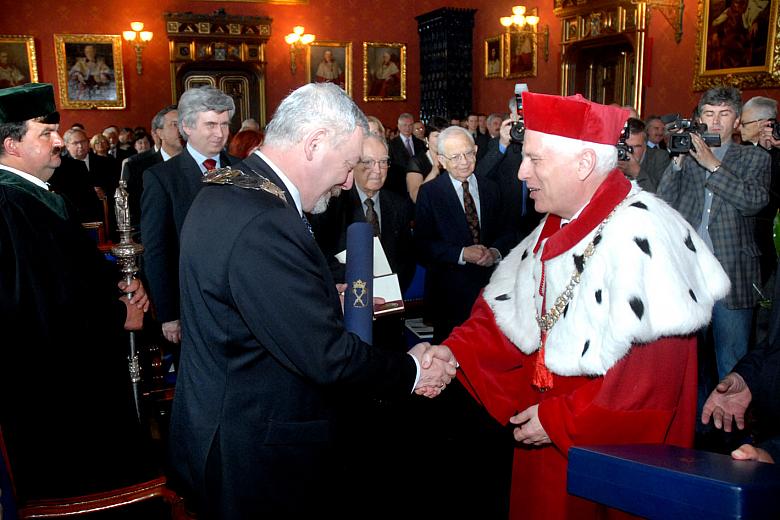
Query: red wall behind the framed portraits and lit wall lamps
(671, 69)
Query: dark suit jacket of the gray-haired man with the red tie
(169, 189)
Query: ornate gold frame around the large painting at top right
(749, 77)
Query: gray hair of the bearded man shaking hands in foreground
(313, 106)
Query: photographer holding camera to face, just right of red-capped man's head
(644, 165)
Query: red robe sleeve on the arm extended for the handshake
(491, 367)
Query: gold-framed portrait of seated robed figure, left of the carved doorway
(89, 71)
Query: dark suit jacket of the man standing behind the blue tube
(397, 213)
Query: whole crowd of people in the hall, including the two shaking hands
(555, 274)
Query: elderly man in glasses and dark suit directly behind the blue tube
(392, 214)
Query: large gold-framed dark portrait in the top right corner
(737, 44)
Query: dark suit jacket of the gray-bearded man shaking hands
(263, 350)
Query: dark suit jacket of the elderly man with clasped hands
(441, 233)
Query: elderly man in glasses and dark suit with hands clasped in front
(459, 233)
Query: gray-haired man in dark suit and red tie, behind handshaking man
(169, 189)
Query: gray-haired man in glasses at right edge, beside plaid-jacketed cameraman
(758, 116)
